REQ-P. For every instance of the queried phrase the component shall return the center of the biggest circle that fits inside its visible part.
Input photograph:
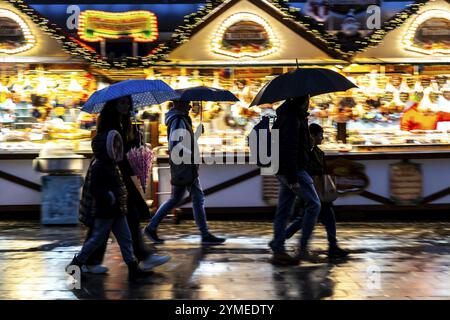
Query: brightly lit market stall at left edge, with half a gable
(41, 89)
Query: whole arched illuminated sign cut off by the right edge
(429, 33)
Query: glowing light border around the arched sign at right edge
(408, 40)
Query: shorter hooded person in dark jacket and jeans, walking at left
(109, 203)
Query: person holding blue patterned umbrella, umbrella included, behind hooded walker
(115, 104)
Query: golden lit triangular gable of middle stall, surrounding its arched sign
(297, 40)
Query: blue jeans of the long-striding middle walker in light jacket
(198, 201)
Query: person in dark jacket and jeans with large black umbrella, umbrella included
(296, 87)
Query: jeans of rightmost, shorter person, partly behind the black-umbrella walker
(326, 217)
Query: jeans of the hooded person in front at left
(100, 234)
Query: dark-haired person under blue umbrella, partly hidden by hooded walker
(116, 115)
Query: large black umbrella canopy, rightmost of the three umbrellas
(302, 82)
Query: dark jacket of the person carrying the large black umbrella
(295, 143)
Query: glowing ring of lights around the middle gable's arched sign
(244, 17)
